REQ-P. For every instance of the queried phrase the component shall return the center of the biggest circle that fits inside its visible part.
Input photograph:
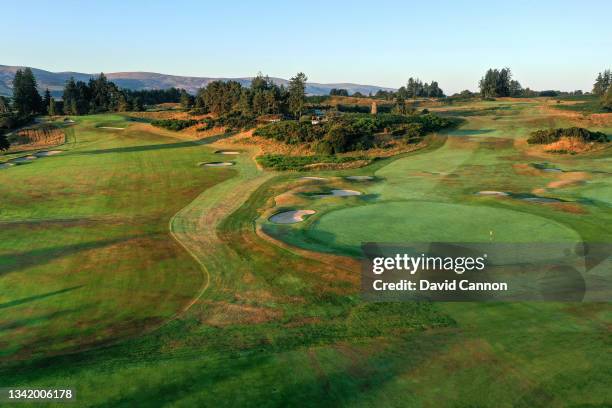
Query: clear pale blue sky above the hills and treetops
(547, 44)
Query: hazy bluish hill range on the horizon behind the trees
(150, 80)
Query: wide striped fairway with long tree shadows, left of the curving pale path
(85, 254)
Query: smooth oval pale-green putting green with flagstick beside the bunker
(423, 221)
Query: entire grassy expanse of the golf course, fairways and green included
(139, 278)
